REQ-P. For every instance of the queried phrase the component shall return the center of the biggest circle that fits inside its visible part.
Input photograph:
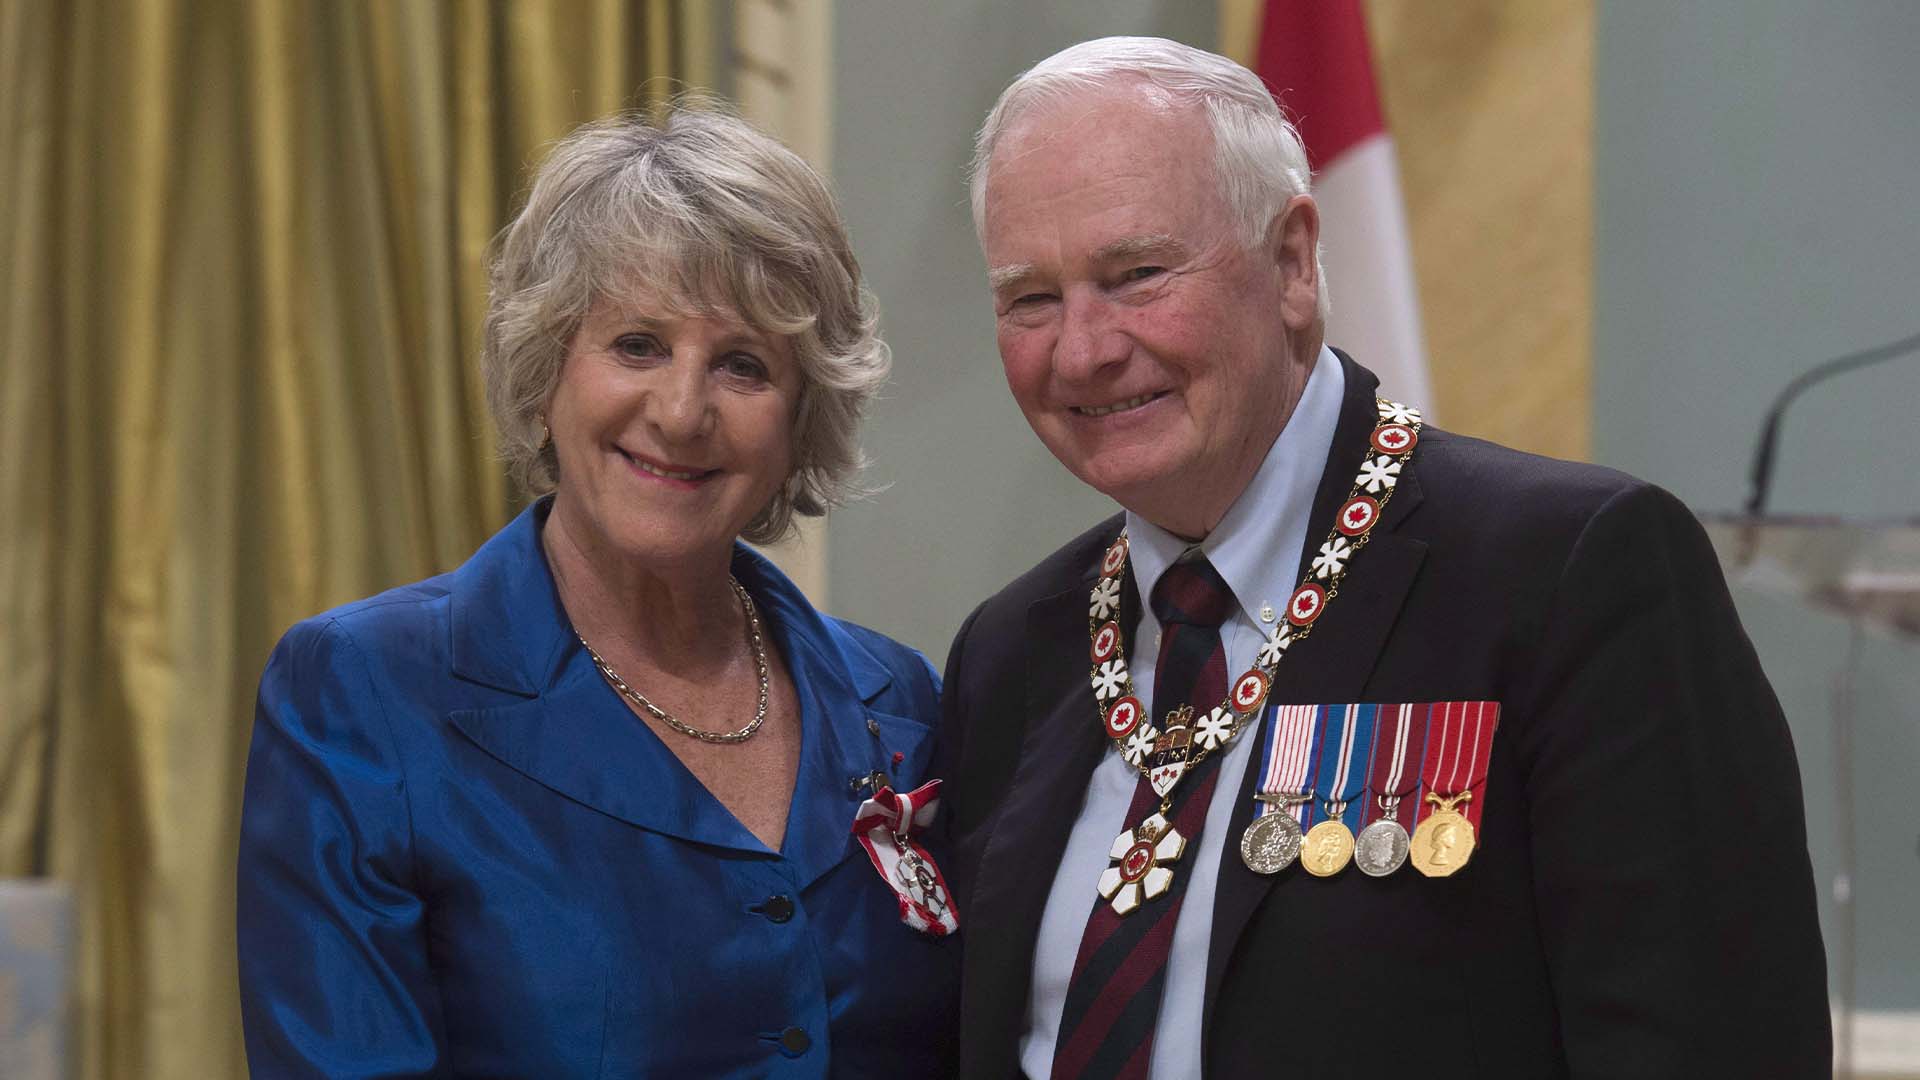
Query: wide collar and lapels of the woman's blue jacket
(571, 733)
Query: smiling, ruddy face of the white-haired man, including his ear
(1153, 353)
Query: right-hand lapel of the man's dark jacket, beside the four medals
(1335, 662)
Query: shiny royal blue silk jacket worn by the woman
(464, 856)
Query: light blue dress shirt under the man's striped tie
(1257, 551)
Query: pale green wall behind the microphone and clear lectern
(1758, 166)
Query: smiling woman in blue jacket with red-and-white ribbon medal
(613, 798)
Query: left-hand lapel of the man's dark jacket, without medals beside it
(1059, 752)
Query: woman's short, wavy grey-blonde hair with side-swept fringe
(713, 216)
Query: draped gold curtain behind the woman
(241, 287)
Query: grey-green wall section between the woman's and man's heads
(974, 497)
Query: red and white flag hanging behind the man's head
(1314, 59)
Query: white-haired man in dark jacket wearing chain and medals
(1353, 749)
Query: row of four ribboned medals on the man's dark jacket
(1370, 768)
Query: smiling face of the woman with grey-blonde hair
(673, 433)
